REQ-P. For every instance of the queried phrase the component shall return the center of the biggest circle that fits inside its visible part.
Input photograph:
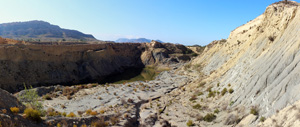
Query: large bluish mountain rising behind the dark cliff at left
(41, 31)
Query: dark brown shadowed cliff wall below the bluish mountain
(74, 64)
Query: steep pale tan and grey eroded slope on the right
(259, 59)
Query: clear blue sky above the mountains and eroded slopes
(187, 22)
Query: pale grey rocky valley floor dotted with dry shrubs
(131, 104)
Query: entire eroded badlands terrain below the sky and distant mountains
(250, 79)
